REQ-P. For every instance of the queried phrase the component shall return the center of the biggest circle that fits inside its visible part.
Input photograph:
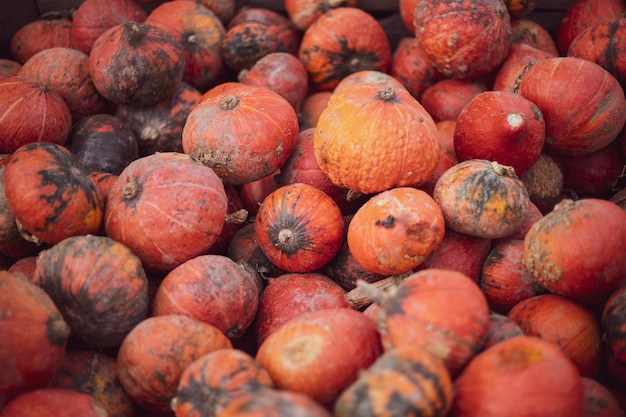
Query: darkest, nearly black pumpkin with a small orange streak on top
(104, 143)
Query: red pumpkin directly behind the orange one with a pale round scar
(293, 294)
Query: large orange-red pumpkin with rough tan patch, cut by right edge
(584, 268)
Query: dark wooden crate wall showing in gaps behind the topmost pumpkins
(15, 13)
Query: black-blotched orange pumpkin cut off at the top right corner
(601, 44)
